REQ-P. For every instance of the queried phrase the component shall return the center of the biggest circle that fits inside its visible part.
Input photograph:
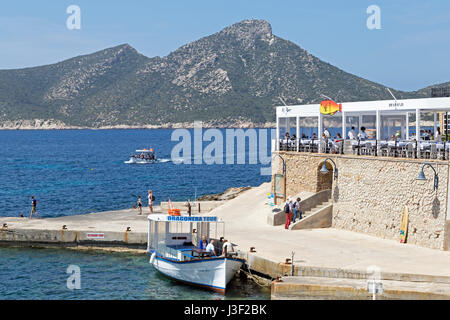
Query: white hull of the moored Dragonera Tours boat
(213, 274)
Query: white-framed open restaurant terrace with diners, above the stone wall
(412, 128)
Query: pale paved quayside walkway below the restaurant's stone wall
(246, 225)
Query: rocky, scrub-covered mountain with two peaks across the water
(230, 78)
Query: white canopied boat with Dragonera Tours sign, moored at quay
(173, 244)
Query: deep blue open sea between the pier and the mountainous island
(81, 171)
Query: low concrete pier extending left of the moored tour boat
(121, 229)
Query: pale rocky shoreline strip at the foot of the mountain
(52, 124)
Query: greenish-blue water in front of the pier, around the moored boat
(42, 274)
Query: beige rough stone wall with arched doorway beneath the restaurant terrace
(370, 193)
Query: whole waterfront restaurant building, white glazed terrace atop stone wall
(398, 161)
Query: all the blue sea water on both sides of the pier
(73, 172)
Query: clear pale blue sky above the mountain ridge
(410, 51)
